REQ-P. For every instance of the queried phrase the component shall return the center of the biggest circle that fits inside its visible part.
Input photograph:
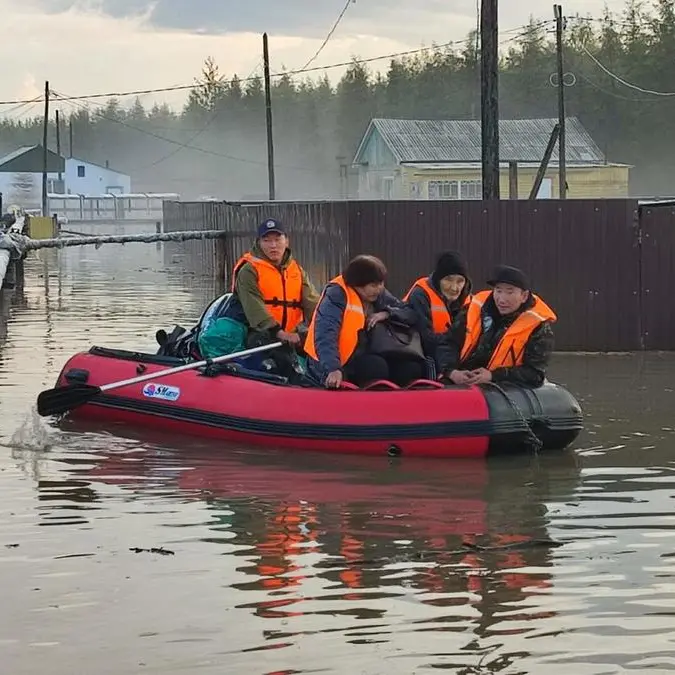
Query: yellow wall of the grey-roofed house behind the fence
(583, 183)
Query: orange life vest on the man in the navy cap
(281, 289)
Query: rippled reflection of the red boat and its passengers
(438, 547)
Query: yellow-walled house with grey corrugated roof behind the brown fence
(441, 159)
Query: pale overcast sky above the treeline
(91, 46)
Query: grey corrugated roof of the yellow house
(460, 140)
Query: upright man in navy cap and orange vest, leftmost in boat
(272, 293)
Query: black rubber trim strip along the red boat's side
(375, 432)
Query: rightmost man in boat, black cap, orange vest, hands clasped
(504, 335)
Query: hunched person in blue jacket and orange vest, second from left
(337, 343)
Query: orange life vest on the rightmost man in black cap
(511, 348)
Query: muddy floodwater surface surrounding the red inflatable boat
(123, 552)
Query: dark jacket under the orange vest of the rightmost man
(535, 358)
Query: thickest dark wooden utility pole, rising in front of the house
(489, 99)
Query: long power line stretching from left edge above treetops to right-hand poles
(289, 73)
